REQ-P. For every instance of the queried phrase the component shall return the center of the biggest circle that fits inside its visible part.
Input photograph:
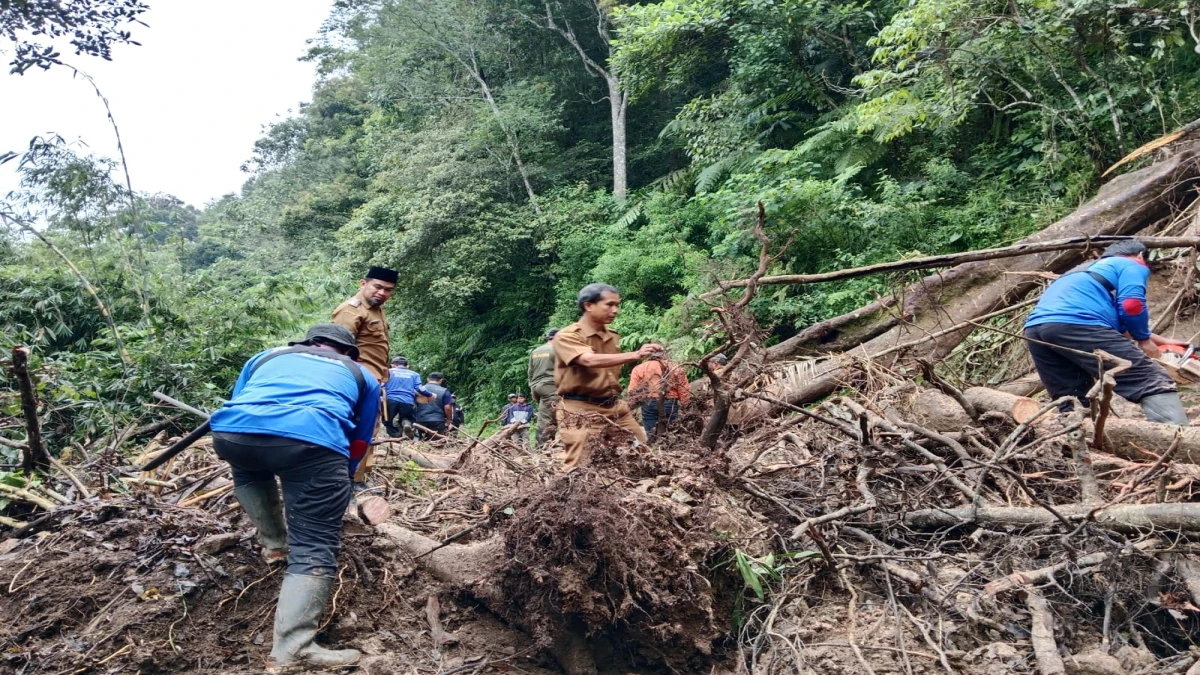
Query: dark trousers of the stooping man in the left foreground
(316, 492)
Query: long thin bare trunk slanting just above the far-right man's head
(950, 260)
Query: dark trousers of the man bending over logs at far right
(1072, 374)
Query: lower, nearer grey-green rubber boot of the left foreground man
(297, 620)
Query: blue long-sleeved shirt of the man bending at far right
(1082, 301)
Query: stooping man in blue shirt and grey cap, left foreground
(304, 414)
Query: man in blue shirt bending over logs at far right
(1103, 307)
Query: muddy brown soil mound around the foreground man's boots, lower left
(136, 586)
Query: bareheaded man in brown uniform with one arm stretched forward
(587, 371)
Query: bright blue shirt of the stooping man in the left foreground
(302, 397)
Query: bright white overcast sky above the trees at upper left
(190, 101)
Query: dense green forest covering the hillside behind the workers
(503, 153)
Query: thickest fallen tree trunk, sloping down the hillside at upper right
(946, 303)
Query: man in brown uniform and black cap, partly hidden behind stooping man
(363, 315)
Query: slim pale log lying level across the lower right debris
(1126, 519)
